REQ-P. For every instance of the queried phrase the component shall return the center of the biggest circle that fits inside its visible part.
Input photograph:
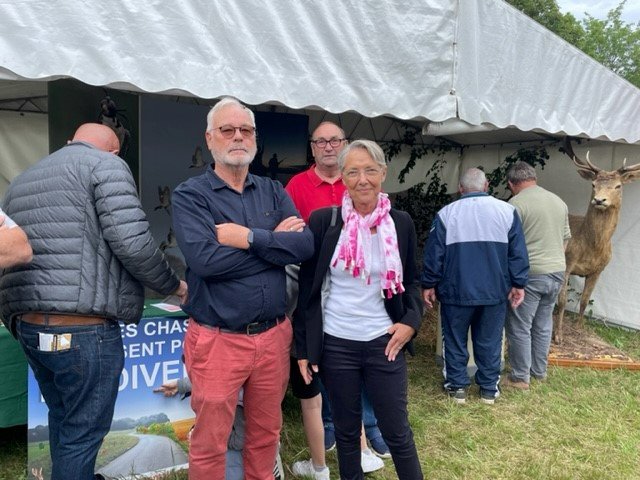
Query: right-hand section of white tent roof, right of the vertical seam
(511, 71)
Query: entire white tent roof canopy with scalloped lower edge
(412, 59)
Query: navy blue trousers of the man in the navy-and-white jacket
(486, 323)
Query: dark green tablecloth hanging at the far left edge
(13, 377)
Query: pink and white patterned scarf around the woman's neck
(354, 244)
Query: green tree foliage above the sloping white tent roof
(611, 41)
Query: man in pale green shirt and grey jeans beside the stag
(545, 221)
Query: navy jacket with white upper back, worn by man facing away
(476, 252)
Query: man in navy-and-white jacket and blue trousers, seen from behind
(475, 260)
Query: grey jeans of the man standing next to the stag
(529, 327)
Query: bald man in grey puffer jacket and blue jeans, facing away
(92, 254)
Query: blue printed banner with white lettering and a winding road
(149, 431)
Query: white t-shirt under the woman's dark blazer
(355, 310)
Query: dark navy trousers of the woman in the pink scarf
(345, 366)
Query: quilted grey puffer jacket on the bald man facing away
(92, 249)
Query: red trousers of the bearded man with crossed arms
(218, 364)
